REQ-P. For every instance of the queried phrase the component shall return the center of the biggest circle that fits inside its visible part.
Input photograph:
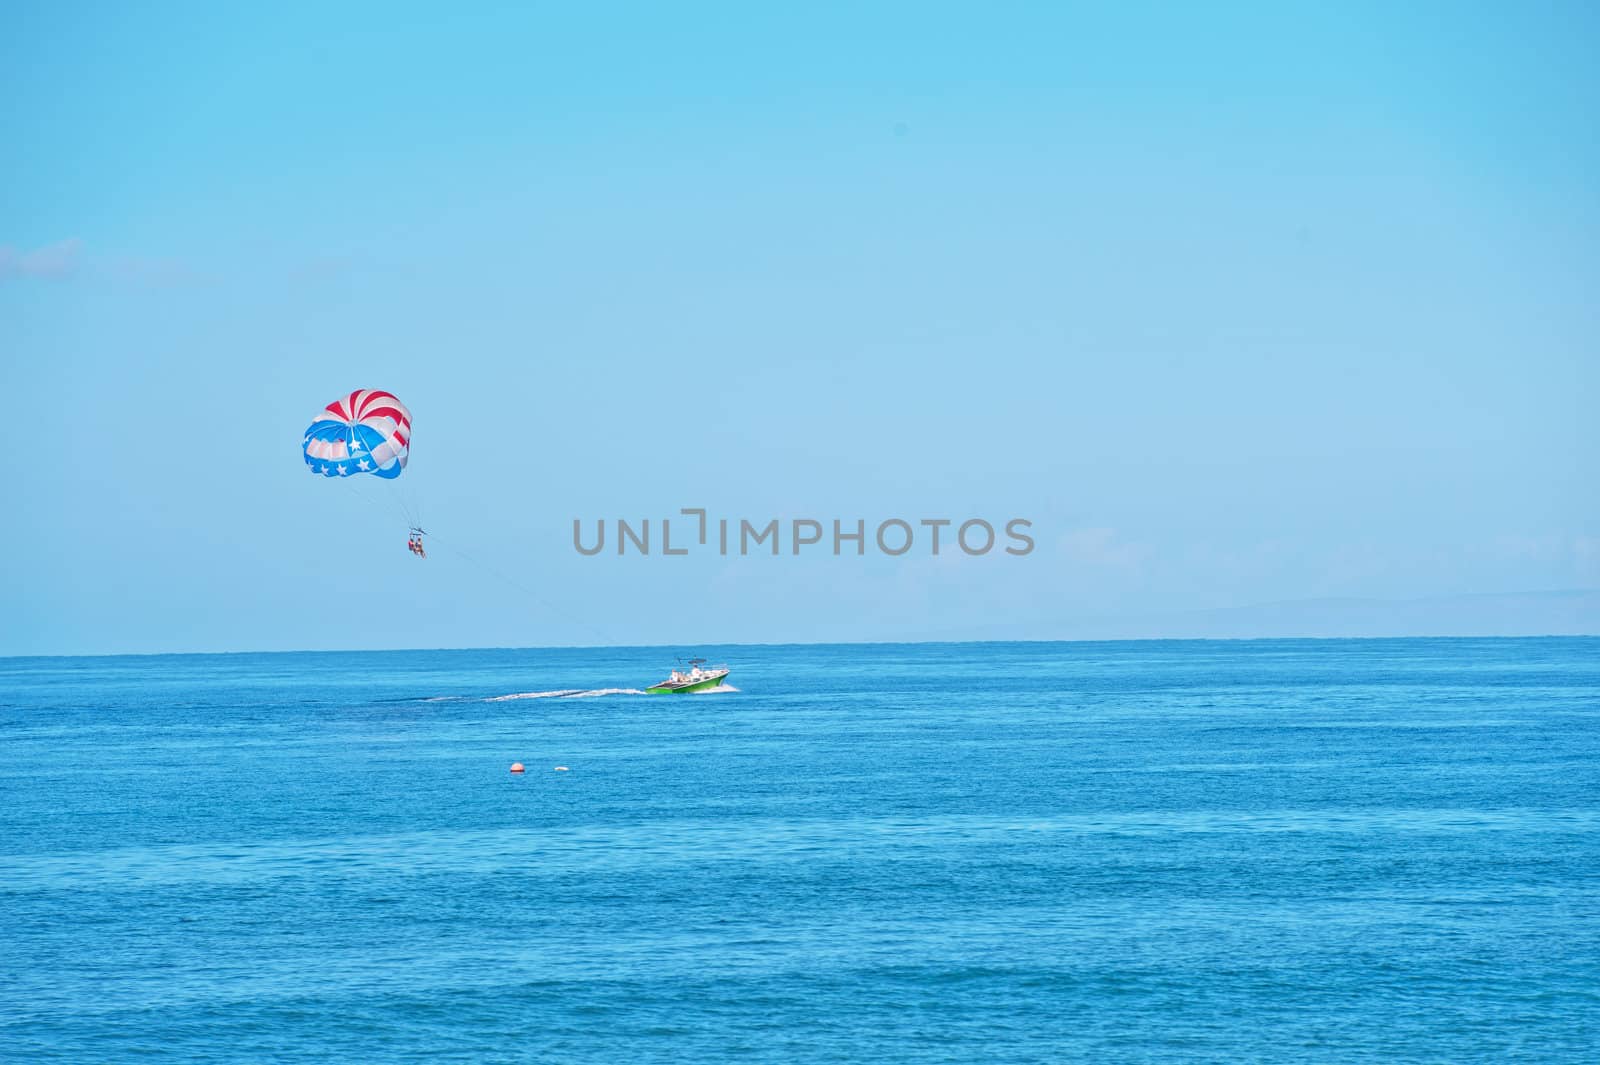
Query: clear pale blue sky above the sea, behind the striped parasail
(1236, 303)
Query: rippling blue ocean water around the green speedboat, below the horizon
(1263, 852)
